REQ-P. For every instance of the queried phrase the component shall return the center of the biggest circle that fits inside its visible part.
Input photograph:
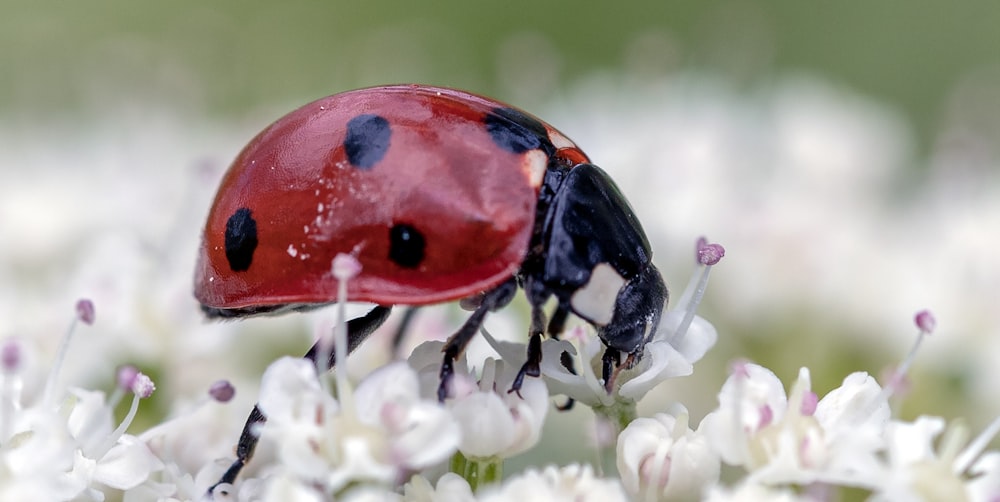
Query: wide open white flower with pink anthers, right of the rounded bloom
(795, 439)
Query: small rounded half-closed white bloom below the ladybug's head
(661, 458)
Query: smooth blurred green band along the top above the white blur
(228, 56)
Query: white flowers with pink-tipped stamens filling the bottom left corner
(65, 446)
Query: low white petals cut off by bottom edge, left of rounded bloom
(572, 483)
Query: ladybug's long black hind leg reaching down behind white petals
(358, 331)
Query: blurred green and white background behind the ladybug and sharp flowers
(845, 153)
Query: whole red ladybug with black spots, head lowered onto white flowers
(441, 195)
